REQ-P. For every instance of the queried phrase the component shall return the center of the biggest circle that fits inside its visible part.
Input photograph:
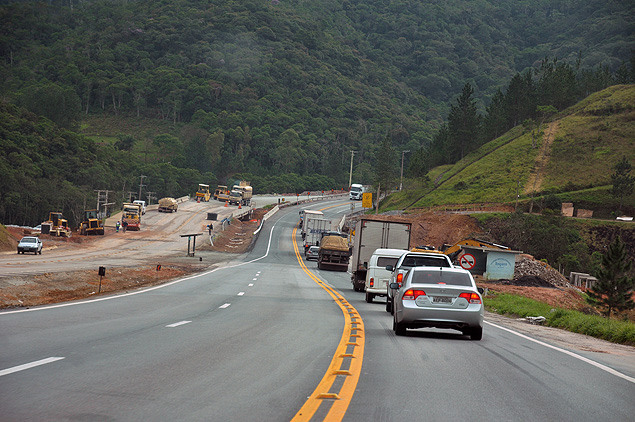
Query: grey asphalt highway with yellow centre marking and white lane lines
(269, 337)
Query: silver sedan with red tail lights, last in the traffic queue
(439, 298)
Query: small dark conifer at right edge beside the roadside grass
(614, 289)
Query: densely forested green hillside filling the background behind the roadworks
(278, 87)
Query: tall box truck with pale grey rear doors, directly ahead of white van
(371, 234)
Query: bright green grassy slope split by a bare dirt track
(592, 137)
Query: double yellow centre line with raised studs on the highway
(349, 340)
